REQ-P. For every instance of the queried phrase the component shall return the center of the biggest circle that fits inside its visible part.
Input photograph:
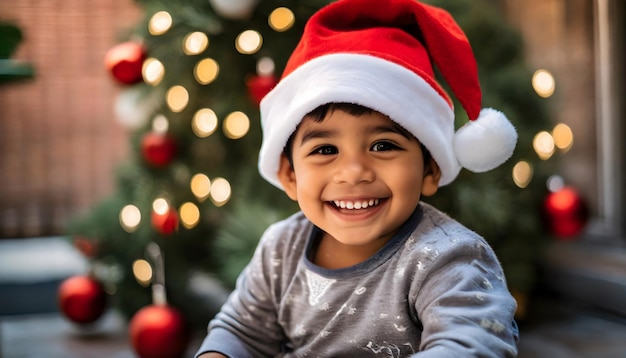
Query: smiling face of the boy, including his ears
(358, 178)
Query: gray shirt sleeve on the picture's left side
(247, 325)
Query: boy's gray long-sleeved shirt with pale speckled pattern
(436, 289)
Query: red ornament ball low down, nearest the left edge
(81, 299)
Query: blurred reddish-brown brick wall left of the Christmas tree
(59, 139)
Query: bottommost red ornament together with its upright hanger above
(158, 330)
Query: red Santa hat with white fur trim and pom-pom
(378, 54)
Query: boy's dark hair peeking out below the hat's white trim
(319, 113)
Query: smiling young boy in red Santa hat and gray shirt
(356, 132)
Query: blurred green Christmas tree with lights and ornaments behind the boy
(193, 74)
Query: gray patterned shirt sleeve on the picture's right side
(463, 302)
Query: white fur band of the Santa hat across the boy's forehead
(370, 81)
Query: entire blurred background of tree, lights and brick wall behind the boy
(129, 133)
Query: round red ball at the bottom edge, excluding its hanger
(158, 331)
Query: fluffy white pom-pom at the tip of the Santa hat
(485, 143)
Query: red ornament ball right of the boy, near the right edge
(566, 213)
